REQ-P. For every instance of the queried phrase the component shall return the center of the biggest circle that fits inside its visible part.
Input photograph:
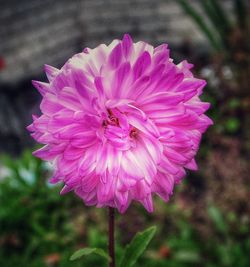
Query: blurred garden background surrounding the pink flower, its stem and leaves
(207, 221)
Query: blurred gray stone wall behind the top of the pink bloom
(34, 32)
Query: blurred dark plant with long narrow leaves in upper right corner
(227, 30)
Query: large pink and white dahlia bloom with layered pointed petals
(120, 123)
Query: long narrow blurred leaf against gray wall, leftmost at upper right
(199, 20)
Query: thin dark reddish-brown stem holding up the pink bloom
(111, 236)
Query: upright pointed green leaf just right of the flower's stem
(136, 247)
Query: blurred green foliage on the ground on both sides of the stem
(38, 228)
